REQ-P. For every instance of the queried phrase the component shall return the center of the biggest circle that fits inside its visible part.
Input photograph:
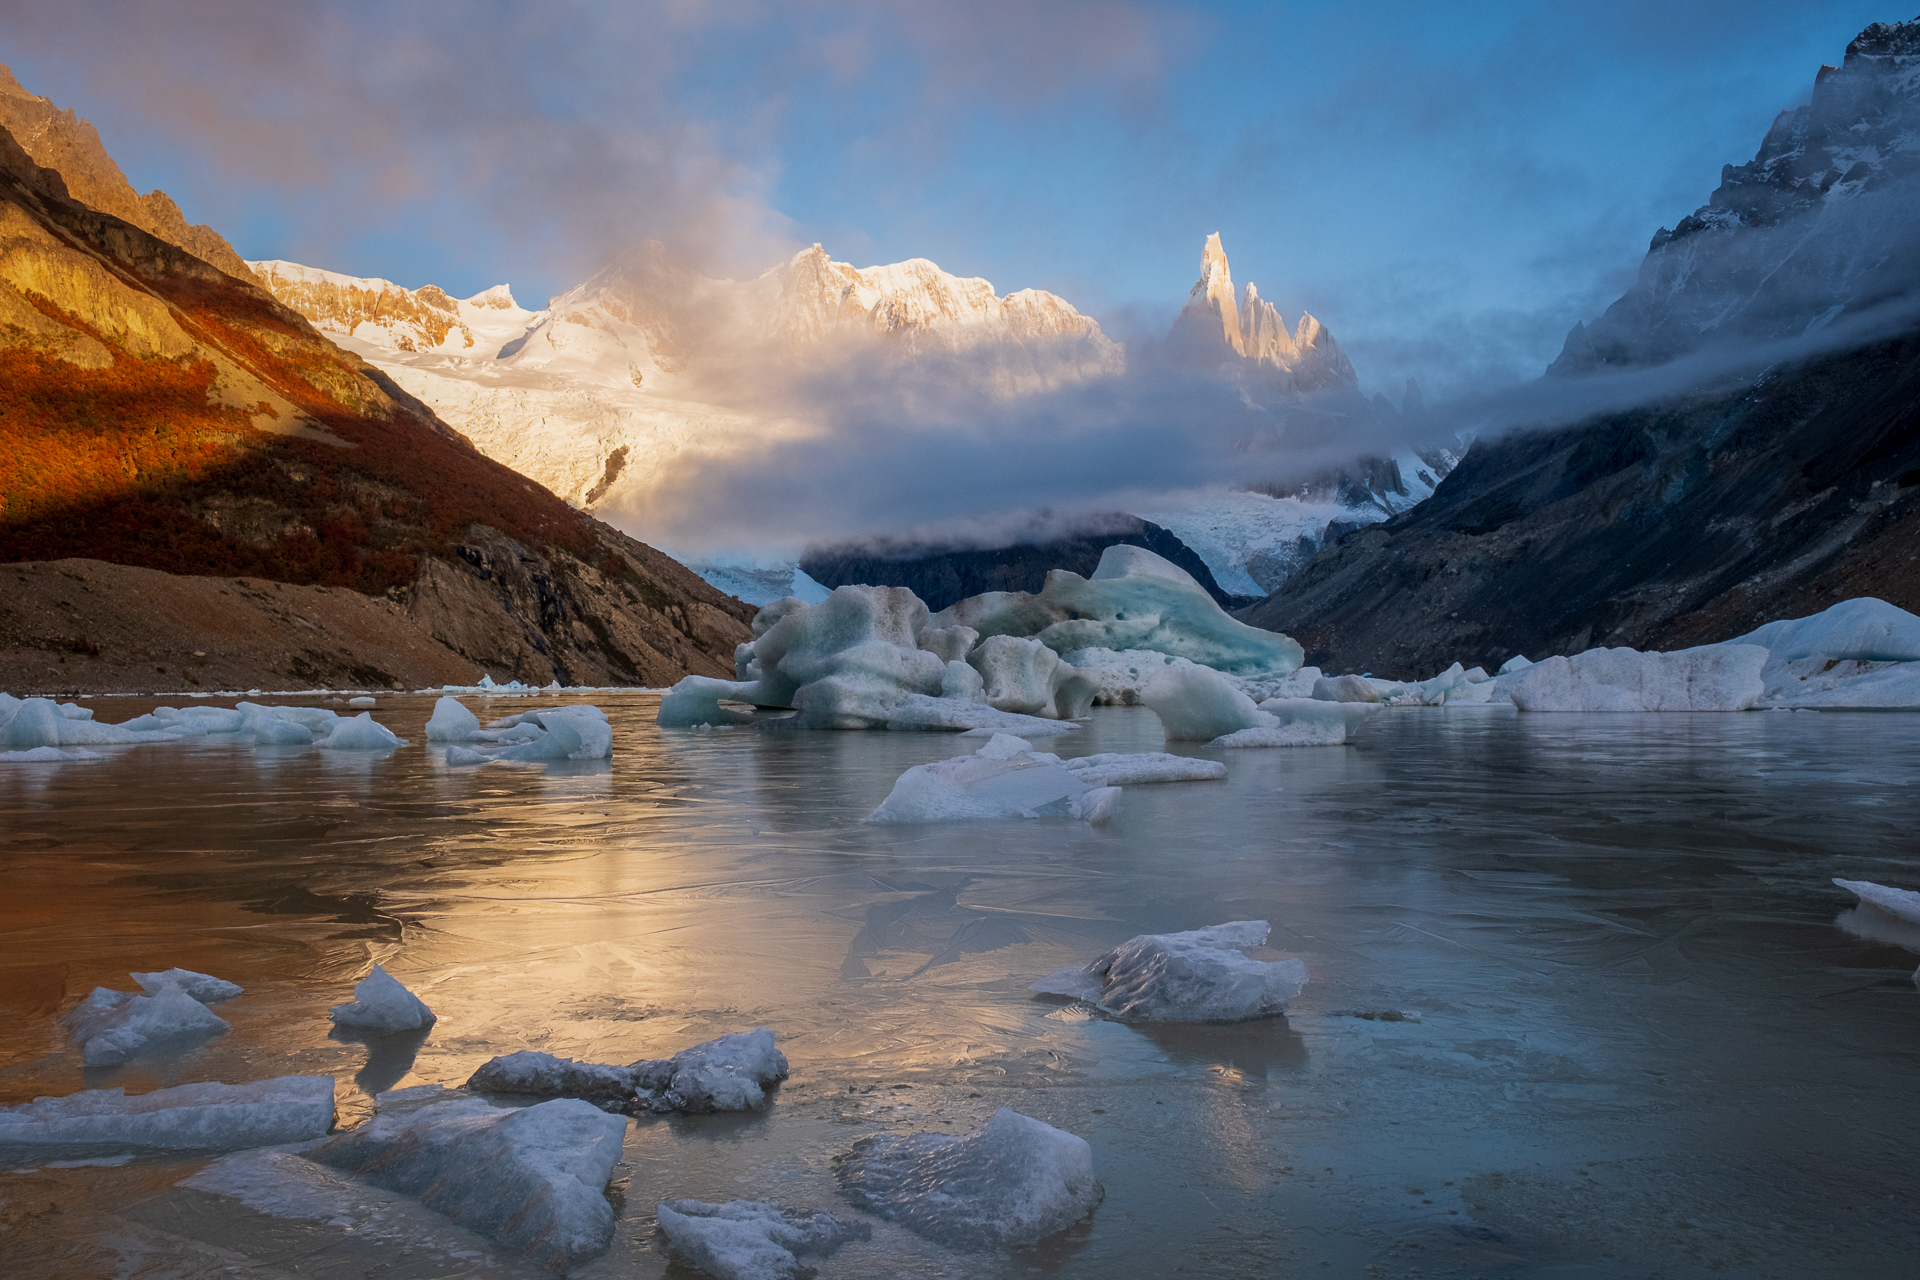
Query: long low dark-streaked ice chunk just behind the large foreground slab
(729, 1074)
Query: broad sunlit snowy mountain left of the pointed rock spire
(602, 391)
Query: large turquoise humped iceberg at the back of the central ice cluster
(1134, 602)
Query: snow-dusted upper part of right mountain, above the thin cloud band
(1821, 224)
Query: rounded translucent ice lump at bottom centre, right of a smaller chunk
(1009, 1183)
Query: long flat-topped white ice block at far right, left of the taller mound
(1714, 678)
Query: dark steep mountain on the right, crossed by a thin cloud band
(1696, 519)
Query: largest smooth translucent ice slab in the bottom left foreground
(531, 1179)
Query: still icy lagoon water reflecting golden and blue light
(1654, 1037)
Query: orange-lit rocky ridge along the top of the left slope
(72, 147)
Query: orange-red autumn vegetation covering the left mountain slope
(139, 465)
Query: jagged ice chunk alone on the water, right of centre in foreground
(1203, 976)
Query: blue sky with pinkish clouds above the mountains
(1447, 187)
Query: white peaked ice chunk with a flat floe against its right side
(1005, 778)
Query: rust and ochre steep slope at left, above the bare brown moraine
(162, 414)
